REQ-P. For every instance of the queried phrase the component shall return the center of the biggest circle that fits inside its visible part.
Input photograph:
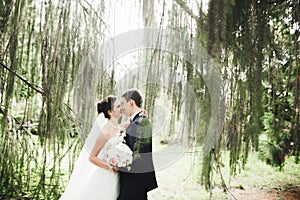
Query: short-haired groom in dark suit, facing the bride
(136, 182)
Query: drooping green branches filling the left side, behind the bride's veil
(42, 52)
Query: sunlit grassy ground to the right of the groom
(257, 181)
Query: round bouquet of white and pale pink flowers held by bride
(118, 154)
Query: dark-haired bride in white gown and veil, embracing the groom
(92, 178)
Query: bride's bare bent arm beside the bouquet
(101, 139)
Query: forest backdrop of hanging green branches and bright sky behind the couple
(51, 78)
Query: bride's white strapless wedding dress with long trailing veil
(89, 182)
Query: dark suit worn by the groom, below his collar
(141, 177)
